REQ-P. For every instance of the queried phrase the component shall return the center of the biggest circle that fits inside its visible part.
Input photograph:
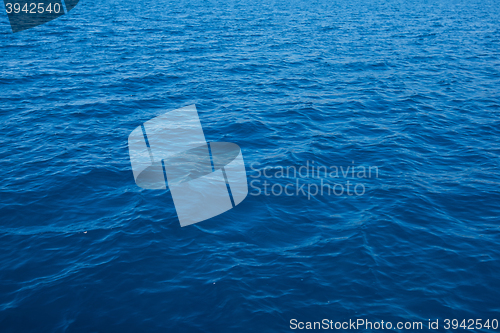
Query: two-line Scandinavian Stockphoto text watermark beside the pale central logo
(311, 179)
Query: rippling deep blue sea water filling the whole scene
(411, 87)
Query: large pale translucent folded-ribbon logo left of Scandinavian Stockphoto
(205, 179)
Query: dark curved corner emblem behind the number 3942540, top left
(26, 14)
